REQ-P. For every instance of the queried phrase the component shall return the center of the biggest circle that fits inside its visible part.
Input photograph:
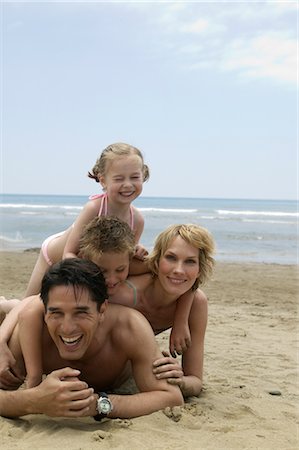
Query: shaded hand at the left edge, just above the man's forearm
(10, 376)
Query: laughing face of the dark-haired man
(72, 319)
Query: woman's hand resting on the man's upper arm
(170, 369)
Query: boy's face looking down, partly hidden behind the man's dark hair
(115, 268)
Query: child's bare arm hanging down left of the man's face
(30, 332)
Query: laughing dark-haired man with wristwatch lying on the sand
(88, 346)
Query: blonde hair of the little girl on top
(109, 154)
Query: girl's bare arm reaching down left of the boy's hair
(89, 211)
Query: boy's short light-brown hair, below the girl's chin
(106, 234)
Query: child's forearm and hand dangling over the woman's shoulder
(180, 337)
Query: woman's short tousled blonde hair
(194, 235)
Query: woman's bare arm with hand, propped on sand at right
(188, 375)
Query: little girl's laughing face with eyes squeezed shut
(123, 180)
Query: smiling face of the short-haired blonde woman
(179, 267)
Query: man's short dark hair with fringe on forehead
(80, 274)
